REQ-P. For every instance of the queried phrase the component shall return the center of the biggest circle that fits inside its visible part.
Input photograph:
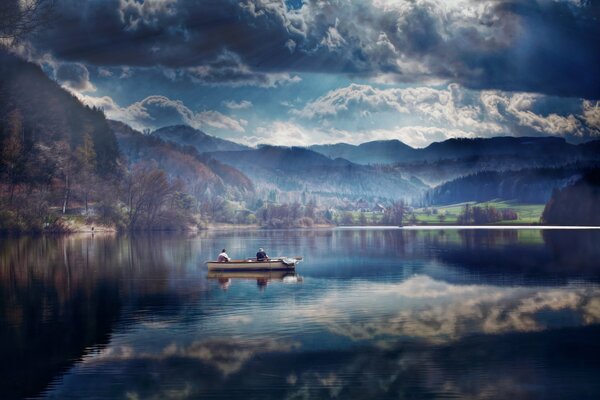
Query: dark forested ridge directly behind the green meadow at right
(533, 185)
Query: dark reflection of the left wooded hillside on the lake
(61, 295)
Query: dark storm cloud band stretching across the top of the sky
(540, 46)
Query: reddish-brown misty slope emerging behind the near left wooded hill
(184, 163)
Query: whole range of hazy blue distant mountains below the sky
(517, 167)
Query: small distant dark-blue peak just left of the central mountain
(187, 136)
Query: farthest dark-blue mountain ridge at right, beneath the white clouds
(444, 161)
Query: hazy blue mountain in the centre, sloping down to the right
(299, 169)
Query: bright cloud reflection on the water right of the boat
(437, 311)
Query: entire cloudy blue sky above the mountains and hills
(302, 72)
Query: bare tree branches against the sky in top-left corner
(21, 17)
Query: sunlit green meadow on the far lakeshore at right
(528, 213)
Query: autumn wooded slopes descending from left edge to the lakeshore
(63, 165)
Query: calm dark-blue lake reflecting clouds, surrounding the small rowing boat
(369, 313)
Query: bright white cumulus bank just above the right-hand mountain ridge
(453, 108)
